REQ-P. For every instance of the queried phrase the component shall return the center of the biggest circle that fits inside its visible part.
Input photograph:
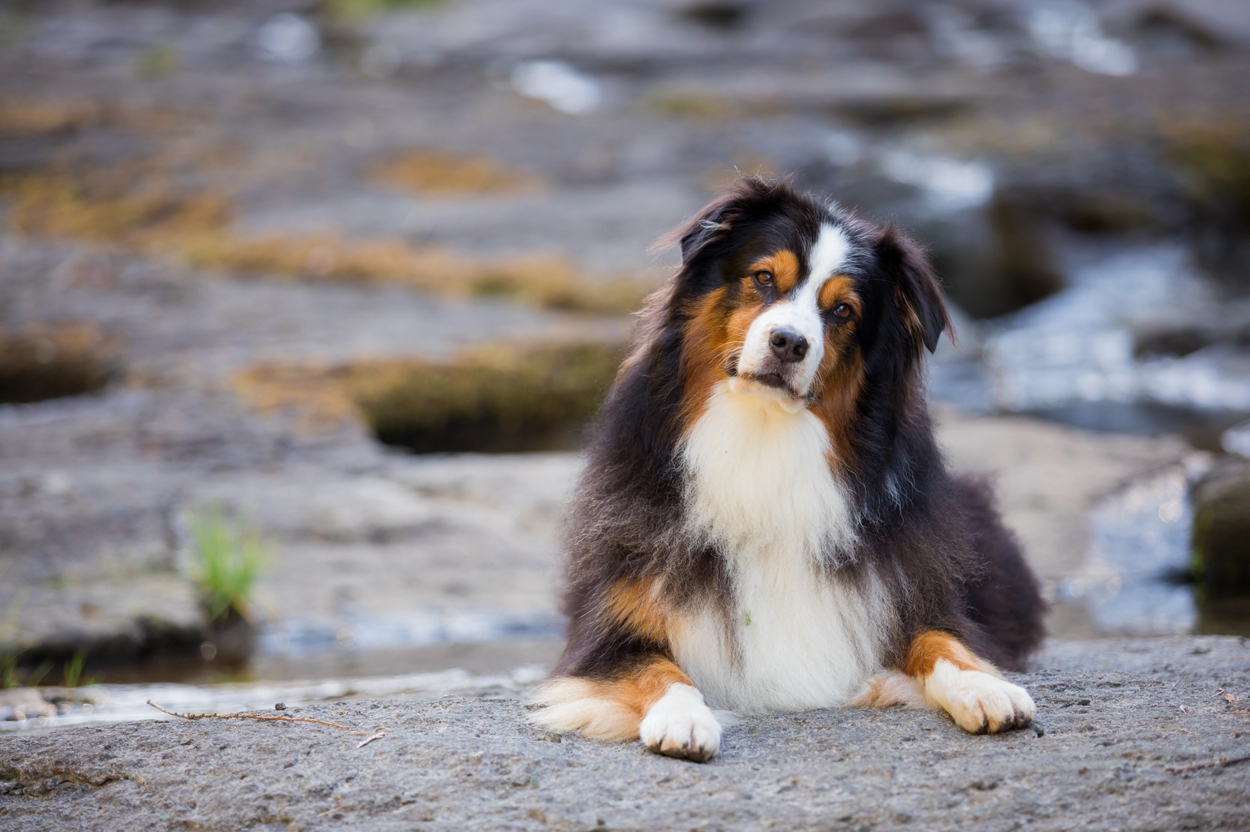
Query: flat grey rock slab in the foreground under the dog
(1138, 734)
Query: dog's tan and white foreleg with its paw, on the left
(653, 700)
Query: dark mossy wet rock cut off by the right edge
(1222, 530)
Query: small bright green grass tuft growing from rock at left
(228, 562)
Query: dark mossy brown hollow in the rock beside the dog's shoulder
(493, 399)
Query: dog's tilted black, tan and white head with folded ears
(788, 298)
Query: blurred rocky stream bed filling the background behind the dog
(304, 305)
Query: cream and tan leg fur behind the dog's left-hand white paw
(611, 710)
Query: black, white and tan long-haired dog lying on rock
(766, 523)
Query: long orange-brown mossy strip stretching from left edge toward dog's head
(146, 210)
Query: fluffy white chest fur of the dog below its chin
(761, 487)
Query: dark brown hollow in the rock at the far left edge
(54, 362)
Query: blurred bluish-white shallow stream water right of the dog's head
(1082, 357)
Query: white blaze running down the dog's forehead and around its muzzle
(802, 313)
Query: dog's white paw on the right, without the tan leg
(979, 703)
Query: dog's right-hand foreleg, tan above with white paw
(967, 688)
